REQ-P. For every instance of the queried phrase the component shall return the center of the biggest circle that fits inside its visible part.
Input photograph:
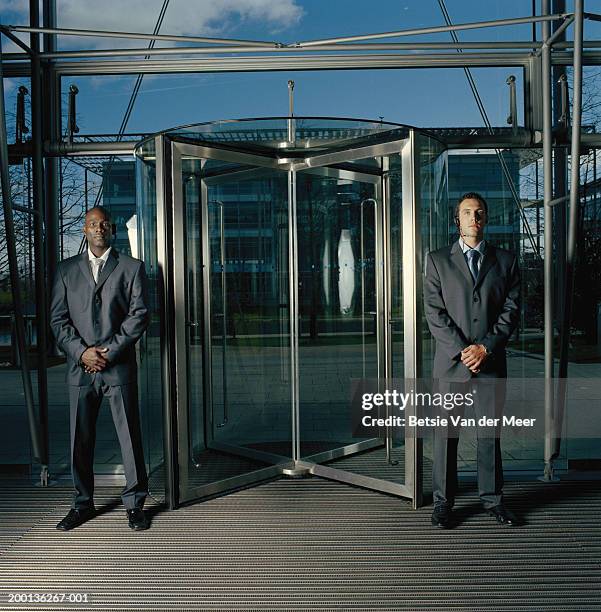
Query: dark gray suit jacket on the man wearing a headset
(460, 313)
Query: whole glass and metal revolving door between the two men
(288, 265)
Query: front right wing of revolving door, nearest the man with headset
(345, 226)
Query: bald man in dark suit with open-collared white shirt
(98, 313)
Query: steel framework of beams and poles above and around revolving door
(46, 68)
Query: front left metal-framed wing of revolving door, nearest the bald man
(232, 344)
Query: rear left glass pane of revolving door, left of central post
(249, 321)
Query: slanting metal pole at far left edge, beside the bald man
(37, 445)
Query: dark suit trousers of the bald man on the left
(85, 405)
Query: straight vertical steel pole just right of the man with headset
(548, 245)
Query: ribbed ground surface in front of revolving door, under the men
(306, 545)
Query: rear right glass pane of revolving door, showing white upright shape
(337, 307)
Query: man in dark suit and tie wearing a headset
(472, 305)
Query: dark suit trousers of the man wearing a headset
(489, 398)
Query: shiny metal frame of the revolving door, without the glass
(171, 151)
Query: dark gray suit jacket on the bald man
(112, 313)
